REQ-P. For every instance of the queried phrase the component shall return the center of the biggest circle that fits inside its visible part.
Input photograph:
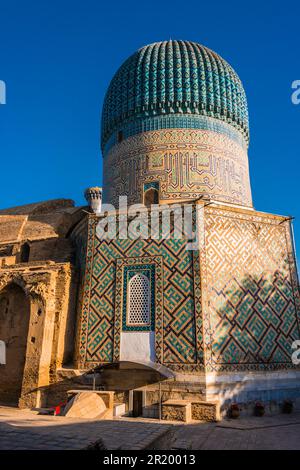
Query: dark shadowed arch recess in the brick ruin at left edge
(14, 325)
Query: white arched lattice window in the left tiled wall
(138, 300)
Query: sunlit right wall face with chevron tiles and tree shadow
(252, 315)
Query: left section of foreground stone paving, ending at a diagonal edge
(21, 429)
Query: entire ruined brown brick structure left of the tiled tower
(37, 257)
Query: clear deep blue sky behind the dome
(57, 58)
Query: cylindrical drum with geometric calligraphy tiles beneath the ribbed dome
(186, 162)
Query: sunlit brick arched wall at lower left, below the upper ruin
(46, 290)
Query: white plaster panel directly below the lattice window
(137, 346)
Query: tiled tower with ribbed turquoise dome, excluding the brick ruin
(175, 120)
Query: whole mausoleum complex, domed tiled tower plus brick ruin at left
(210, 316)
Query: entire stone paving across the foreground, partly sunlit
(21, 429)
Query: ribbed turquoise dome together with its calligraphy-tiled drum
(176, 113)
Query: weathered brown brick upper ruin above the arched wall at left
(44, 227)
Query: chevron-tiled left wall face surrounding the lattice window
(175, 328)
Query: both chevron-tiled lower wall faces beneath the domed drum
(231, 306)
